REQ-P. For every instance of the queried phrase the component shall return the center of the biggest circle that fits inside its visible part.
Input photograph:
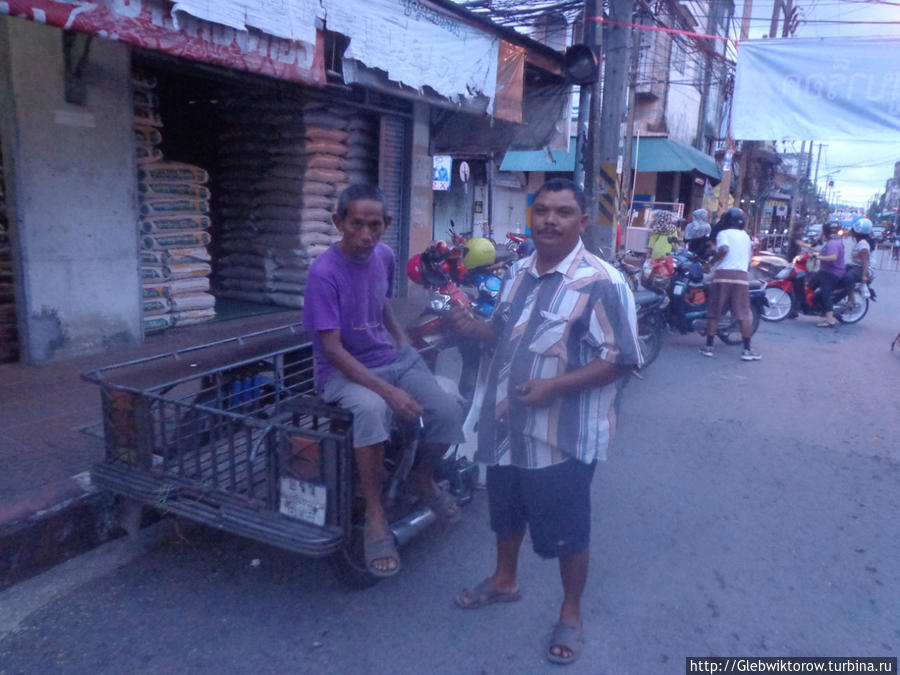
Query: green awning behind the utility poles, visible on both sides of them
(654, 155)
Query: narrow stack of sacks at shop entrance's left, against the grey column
(174, 206)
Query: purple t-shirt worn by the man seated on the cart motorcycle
(348, 295)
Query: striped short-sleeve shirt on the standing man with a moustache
(549, 325)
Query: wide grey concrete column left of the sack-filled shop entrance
(73, 214)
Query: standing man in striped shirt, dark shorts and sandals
(564, 333)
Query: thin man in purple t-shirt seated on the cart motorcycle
(363, 361)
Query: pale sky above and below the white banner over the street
(859, 170)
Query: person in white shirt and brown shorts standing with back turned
(731, 281)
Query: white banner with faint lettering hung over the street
(830, 89)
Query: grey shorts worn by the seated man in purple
(371, 414)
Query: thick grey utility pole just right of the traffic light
(606, 118)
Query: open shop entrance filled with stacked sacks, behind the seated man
(238, 177)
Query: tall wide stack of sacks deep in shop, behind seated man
(282, 166)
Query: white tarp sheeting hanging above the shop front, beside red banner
(416, 43)
